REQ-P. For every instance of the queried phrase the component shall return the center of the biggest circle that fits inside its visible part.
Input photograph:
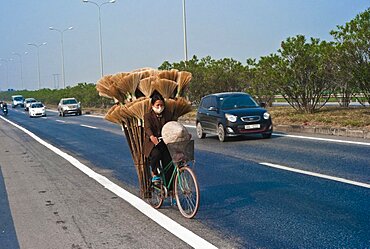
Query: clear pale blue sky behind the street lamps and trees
(145, 33)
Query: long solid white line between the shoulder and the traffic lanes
(170, 225)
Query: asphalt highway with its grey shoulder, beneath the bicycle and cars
(251, 193)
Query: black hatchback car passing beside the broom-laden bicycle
(230, 114)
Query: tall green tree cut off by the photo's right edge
(353, 39)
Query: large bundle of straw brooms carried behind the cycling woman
(131, 93)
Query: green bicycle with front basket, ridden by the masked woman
(183, 181)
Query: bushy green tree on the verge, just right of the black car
(306, 73)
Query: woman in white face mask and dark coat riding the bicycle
(153, 122)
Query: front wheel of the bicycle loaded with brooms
(187, 192)
